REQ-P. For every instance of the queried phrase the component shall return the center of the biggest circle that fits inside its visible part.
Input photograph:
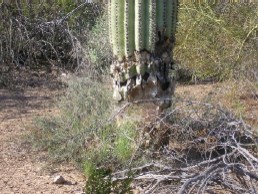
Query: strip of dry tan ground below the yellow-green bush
(239, 98)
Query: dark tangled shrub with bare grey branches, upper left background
(45, 36)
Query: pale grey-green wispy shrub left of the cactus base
(84, 107)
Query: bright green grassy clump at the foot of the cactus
(113, 146)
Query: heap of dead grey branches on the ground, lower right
(208, 150)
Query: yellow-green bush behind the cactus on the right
(217, 40)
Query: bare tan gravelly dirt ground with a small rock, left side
(22, 171)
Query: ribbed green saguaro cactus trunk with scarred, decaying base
(142, 34)
